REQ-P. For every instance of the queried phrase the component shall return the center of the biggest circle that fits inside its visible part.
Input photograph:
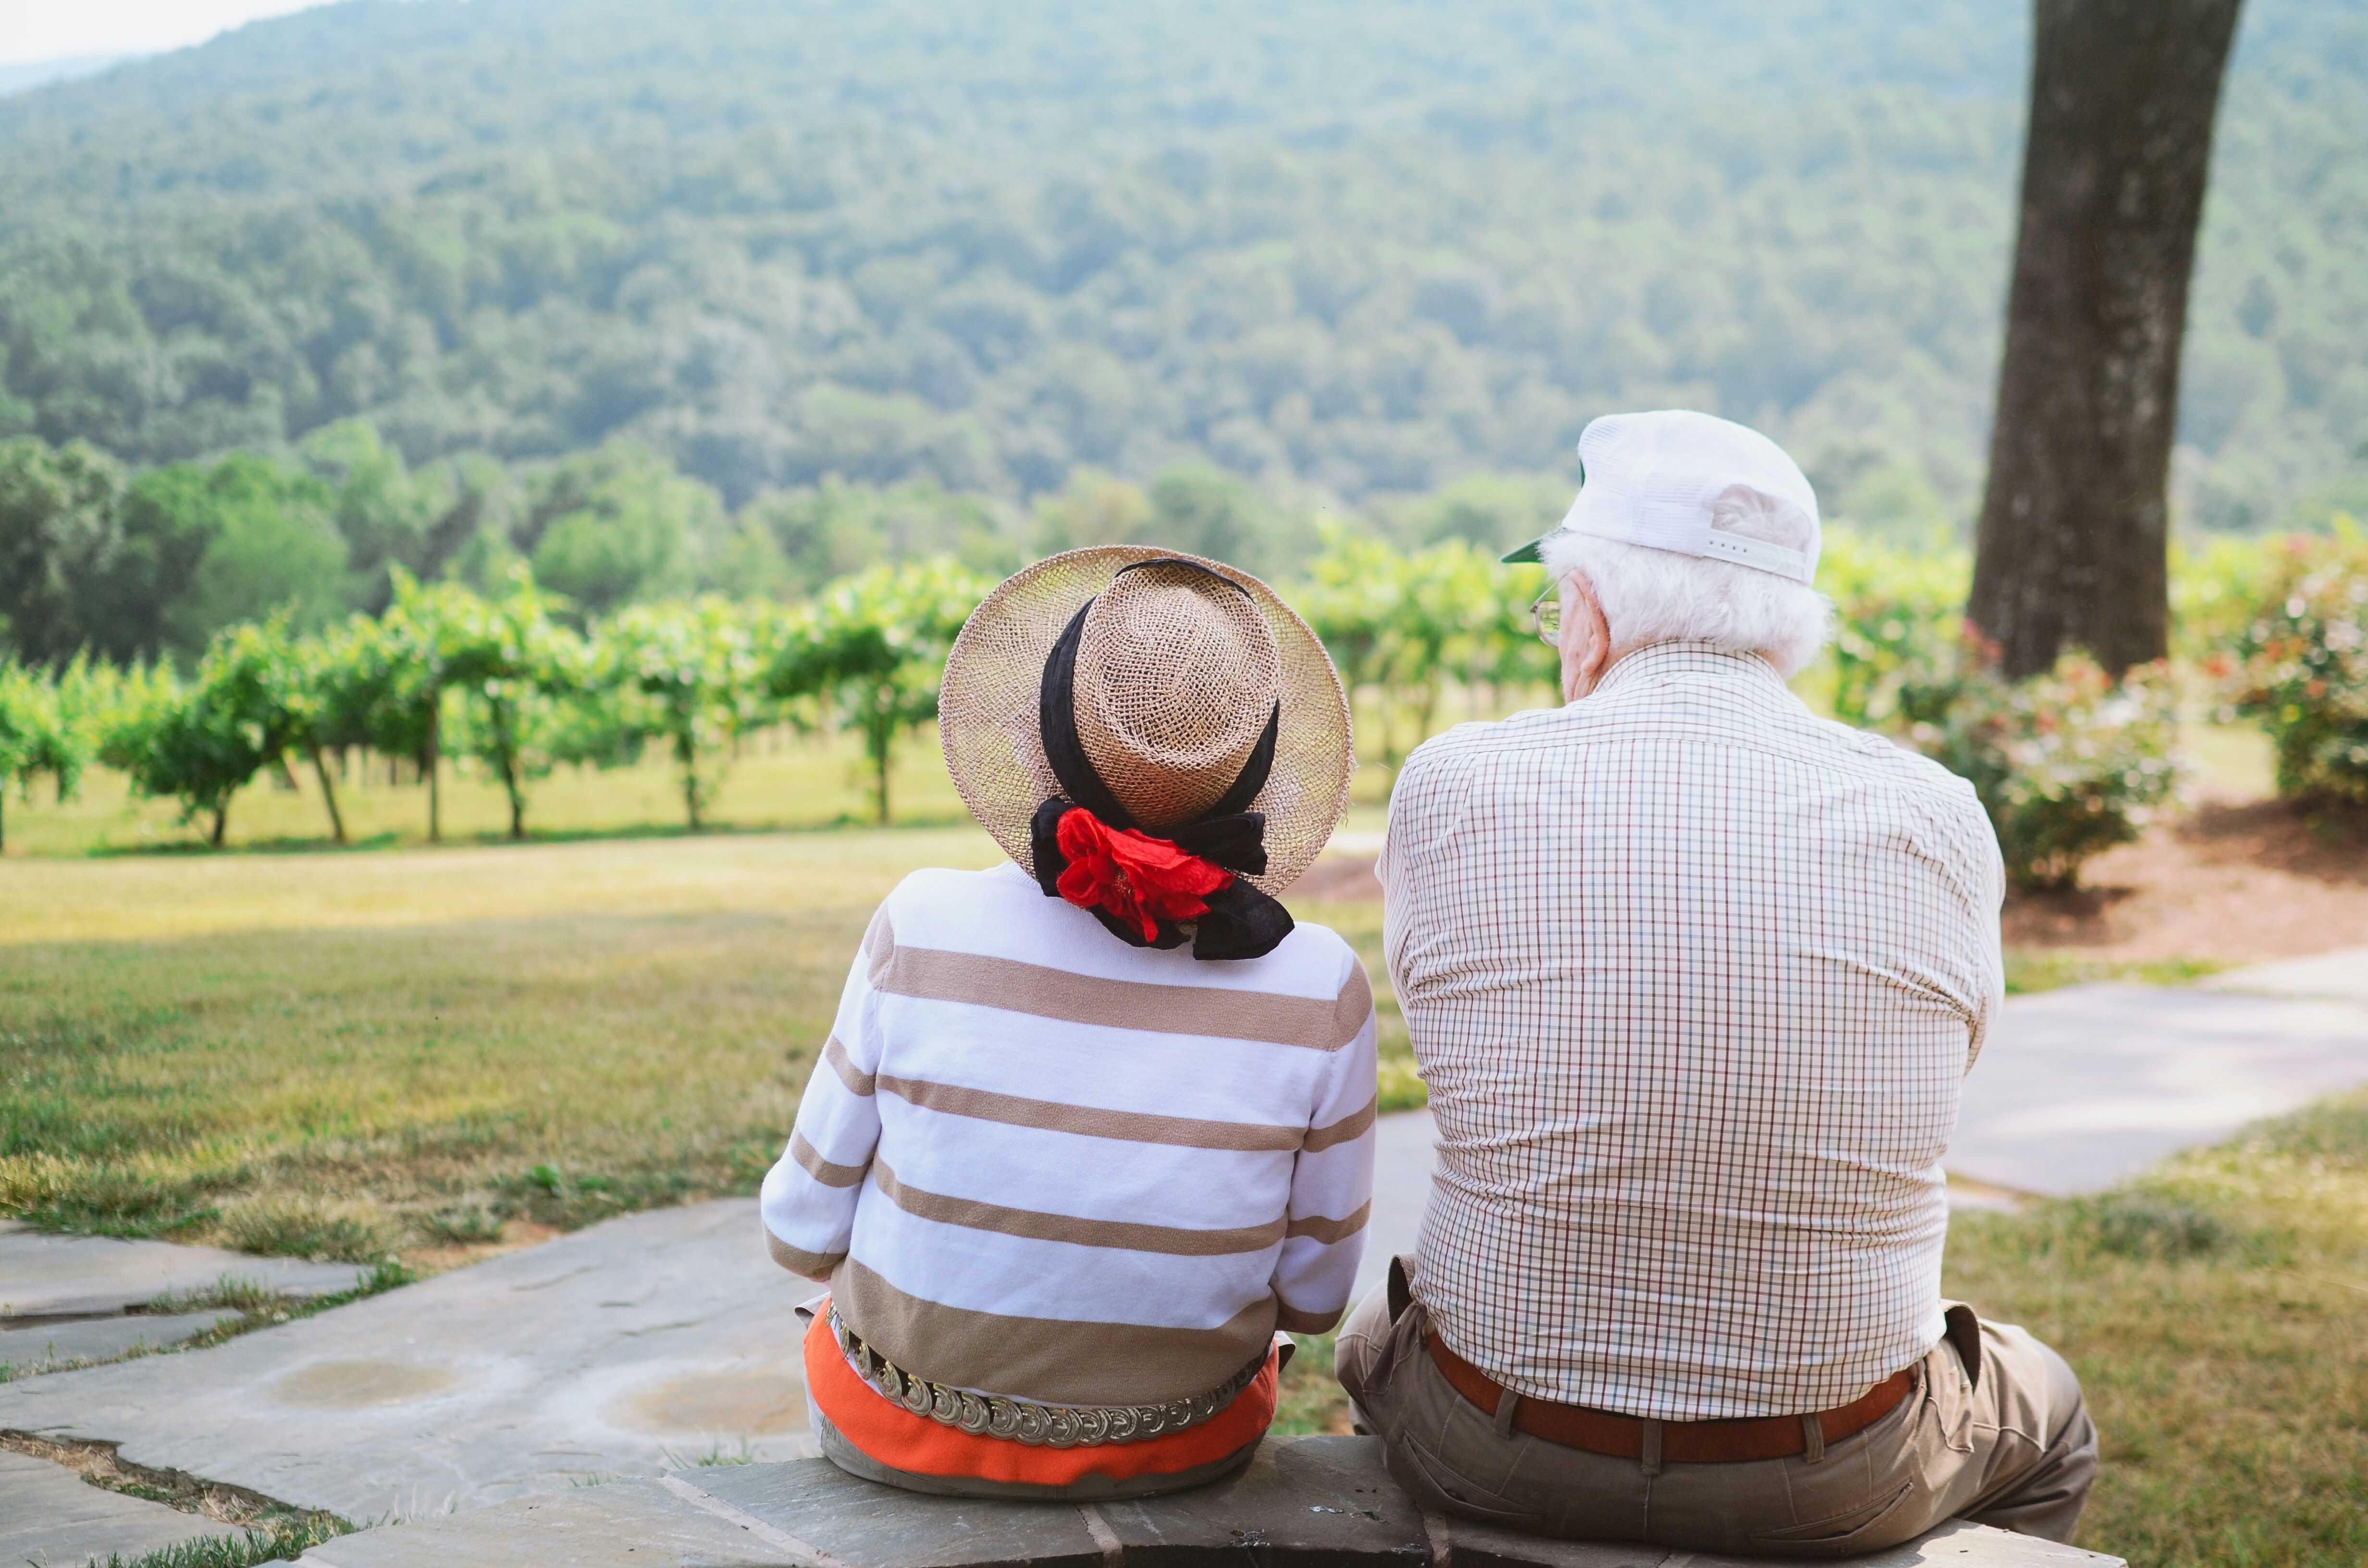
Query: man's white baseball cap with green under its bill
(1656, 480)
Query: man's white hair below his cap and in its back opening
(1661, 596)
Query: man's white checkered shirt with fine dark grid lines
(1694, 979)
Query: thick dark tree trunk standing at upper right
(2076, 534)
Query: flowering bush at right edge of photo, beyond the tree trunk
(2301, 664)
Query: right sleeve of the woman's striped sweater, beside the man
(1332, 1188)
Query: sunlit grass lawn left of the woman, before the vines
(359, 1055)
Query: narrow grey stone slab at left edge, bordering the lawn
(67, 1275)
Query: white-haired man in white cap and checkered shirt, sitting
(1694, 979)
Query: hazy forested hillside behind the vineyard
(1332, 248)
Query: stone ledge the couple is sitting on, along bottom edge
(1304, 1503)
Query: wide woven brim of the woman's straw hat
(989, 709)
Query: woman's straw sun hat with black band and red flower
(1154, 738)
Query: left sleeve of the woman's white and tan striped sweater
(809, 1197)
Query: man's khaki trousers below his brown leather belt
(2002, 1444)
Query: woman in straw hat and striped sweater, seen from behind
(1098, 1124)
